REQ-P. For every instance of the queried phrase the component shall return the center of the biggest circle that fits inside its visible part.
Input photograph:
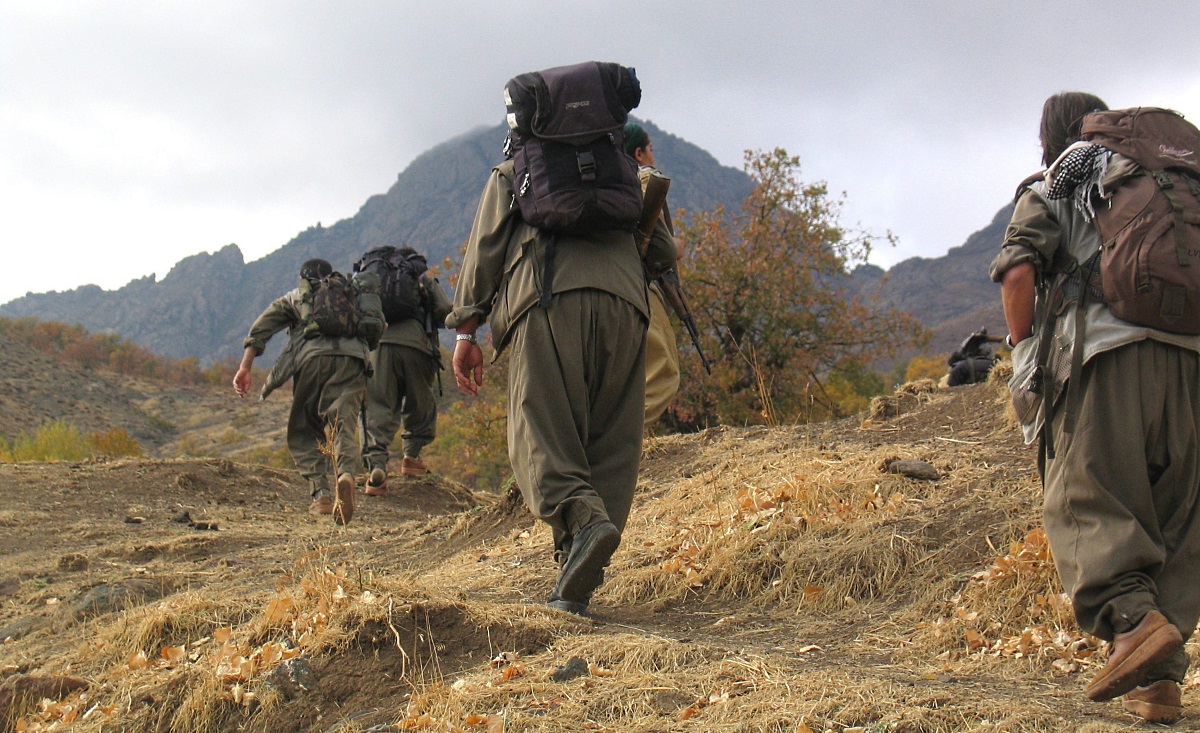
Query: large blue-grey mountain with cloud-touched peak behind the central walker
(205, 307)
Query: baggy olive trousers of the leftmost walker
(328, 390)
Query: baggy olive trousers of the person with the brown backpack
(1121, 495)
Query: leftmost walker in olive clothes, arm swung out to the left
(331, 381)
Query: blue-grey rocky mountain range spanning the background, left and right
(207, 303)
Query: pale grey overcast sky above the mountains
(135, 134)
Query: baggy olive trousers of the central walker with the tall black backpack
(577, 402)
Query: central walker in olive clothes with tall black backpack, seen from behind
(565, 292)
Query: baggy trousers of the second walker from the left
(400, 393)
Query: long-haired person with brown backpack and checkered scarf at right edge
(1099, 273)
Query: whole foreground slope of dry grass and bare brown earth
(779, 580)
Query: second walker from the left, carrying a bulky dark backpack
(407, 364)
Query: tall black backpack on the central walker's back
(568, 147)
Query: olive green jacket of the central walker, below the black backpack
(502, 274)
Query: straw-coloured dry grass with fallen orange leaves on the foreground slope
(770, 580)
